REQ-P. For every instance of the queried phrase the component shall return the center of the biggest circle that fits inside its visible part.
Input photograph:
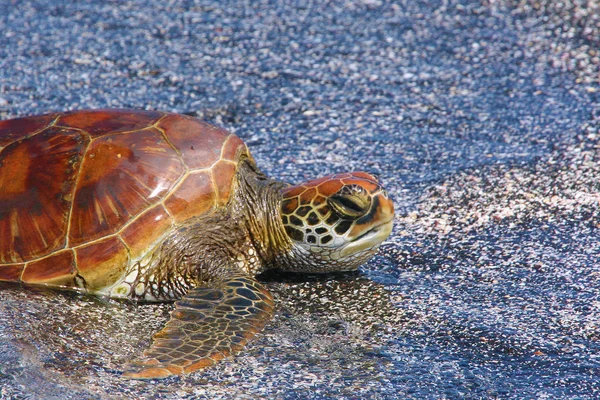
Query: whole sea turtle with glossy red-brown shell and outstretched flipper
(154, 206)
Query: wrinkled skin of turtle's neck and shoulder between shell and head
(248, 236)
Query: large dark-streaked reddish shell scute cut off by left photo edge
(36, 193)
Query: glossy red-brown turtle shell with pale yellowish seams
(85, 193)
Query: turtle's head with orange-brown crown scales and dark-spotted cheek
(337, 222)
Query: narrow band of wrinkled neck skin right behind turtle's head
(258, 206)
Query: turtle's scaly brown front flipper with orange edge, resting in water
(209, 324)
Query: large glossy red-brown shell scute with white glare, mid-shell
(121, 176)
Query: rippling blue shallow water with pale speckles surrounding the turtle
(482, 120)
